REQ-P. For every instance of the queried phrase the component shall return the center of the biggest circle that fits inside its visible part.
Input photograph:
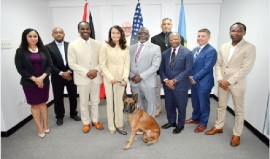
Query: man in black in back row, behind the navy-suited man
(162, 40)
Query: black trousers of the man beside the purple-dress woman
(58, 93)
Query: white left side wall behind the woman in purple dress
(18, 15)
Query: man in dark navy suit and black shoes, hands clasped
(175, 69)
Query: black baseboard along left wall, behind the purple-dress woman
(20, 124)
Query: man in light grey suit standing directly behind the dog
(145, 59)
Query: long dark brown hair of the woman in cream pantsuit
(122, 40)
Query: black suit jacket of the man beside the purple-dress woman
(57, 59)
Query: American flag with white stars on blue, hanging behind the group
(137, 24)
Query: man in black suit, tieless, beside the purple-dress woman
(61, 77)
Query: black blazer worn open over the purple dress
(25, 68)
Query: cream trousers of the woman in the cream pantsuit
(118, 104)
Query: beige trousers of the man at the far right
(238, 97)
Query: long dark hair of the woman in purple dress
(24, 44)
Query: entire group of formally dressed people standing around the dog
(84, 63)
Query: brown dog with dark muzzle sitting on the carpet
(140, 120)
